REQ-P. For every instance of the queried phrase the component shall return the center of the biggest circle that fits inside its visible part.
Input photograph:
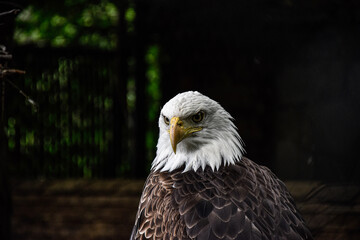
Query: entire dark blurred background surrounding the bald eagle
(98, 71)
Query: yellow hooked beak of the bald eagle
(178, 131)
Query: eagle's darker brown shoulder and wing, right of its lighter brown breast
(240, 201)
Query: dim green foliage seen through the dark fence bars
(73, 130)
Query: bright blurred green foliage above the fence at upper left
(78, 23)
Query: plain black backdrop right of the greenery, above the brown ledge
(288, 73)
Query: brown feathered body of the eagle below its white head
(240, 201)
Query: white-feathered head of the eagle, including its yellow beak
(195, 131)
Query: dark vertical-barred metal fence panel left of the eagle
(78, 124)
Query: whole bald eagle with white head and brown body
(201, 187)
